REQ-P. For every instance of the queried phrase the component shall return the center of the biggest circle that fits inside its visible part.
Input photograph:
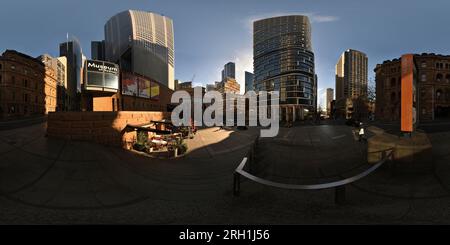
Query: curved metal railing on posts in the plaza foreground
(339, 185)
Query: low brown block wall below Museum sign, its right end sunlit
(106, 128)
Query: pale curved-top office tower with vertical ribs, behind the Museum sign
(142, 42)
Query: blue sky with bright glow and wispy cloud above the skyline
(209, 33)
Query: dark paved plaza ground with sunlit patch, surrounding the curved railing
(49, 181)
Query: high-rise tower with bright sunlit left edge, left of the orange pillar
(351, 75)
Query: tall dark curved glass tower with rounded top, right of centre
(284, 62)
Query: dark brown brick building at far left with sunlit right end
(27, 88)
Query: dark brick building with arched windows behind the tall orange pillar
(433, 88)
